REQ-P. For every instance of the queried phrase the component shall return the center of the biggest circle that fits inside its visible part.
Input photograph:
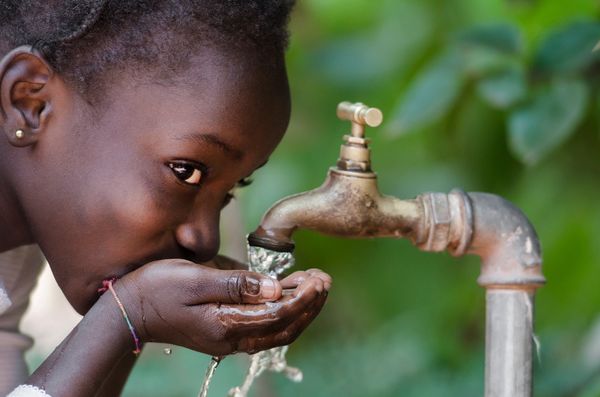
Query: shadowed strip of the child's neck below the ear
(13, 226)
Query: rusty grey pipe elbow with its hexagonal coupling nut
(488, 226)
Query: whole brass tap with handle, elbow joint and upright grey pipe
(349, 204)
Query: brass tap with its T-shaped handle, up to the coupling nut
(348, 204)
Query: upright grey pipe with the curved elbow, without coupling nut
(511, 272)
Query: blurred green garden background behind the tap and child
(486, 95)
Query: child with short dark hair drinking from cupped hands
(126, 124)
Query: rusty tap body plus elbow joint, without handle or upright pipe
(350, 206)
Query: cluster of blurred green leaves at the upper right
(545, 100)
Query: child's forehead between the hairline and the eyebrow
(239, 98)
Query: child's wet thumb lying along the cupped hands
(234, 286)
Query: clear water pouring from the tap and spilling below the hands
(272, 264)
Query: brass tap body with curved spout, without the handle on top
(348, 204)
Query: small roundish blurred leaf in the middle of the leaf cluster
(505, 89)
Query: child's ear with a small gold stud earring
(25, 95)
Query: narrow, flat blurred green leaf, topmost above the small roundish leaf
(501, 37)
